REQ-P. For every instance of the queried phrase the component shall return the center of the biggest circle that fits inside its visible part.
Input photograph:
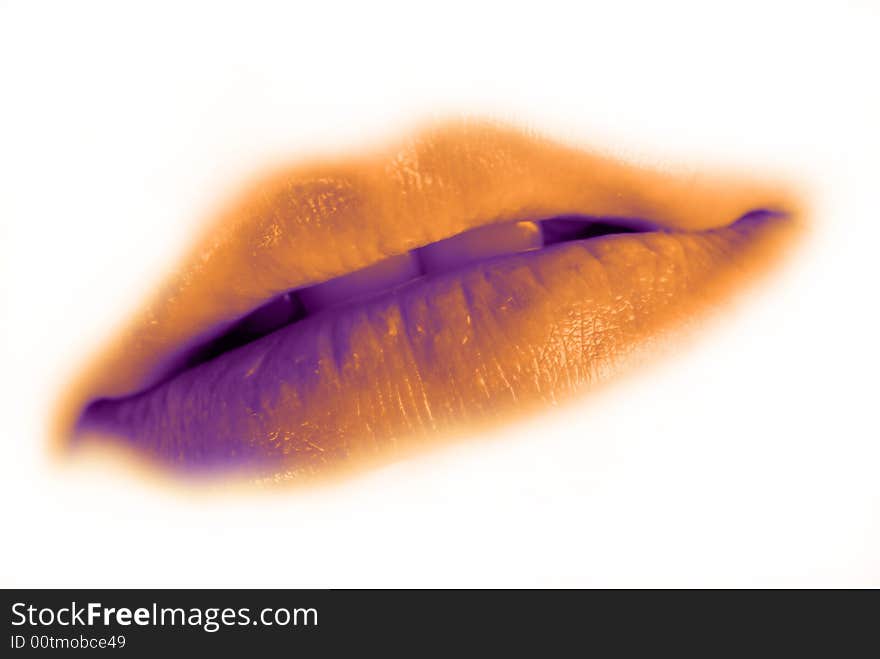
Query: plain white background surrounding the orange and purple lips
(752, 459)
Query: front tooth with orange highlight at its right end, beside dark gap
(480, 244)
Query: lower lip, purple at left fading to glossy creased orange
(353, 385)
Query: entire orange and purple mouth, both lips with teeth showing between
(343, 313)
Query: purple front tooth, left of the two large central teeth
(378, 277)
